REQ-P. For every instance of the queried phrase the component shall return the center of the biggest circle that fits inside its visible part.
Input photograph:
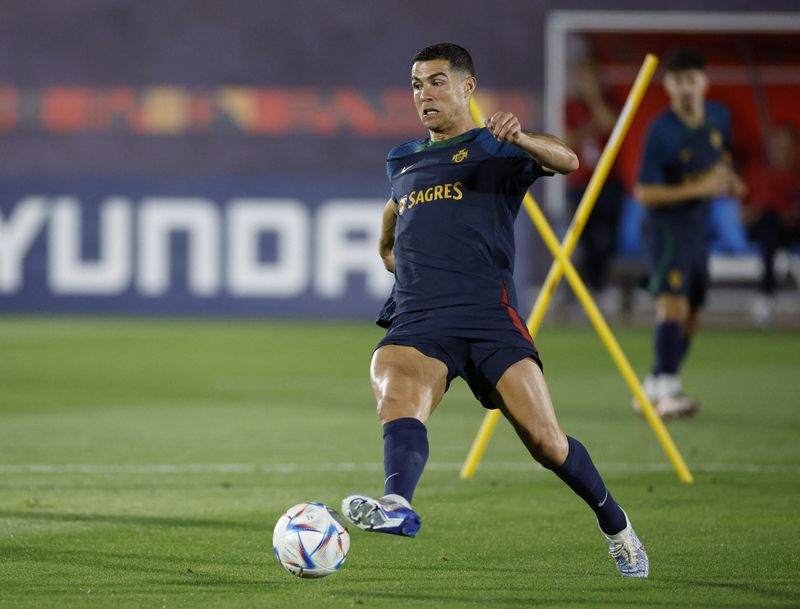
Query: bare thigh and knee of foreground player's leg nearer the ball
(406, 382)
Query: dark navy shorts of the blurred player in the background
(678, 259)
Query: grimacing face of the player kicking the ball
(441, 94)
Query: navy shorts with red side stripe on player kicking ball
(476, 343)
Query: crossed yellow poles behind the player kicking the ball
(563, 266)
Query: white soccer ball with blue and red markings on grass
(310, 540)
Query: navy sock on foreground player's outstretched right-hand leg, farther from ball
(582, 476)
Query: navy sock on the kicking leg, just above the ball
(405, 452)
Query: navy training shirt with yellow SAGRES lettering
(456, 204)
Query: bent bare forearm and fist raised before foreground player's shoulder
(547, 150)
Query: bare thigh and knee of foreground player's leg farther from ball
(523, 397)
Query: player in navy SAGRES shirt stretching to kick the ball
(447, 236)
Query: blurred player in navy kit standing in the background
(685, 164)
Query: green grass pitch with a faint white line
(144, 464)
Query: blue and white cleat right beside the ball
(389, 514)
